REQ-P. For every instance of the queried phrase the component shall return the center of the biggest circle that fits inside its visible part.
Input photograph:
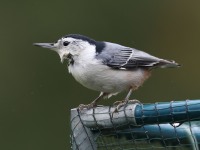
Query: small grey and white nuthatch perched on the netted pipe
(107, 67)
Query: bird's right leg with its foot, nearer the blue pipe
(125, 101)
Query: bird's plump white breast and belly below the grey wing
(92, 74)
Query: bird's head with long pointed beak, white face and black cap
(71, 45)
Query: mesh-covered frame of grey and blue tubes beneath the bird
(129, 135)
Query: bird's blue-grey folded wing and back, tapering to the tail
(120, 57)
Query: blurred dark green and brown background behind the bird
(37, 92)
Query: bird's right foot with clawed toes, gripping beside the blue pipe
(123, 103)
